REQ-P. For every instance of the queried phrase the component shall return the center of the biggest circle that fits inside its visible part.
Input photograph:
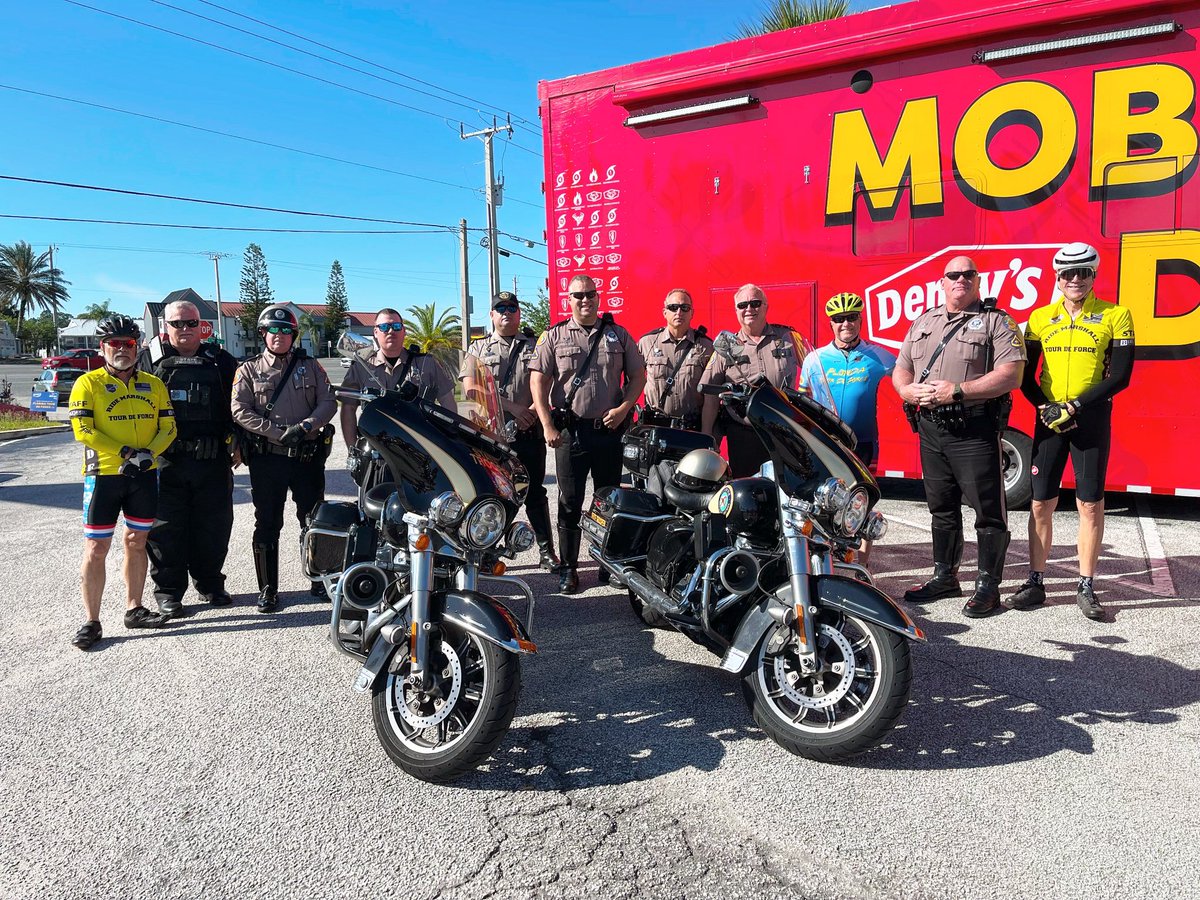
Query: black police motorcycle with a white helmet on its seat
(747, 568)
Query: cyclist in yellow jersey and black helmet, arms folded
(123, 417)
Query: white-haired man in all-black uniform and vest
(191, 533)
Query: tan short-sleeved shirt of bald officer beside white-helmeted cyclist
(965, 357)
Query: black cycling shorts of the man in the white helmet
(1089, 448)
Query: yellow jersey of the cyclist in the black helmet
(109, 415)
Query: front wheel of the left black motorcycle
(442, 734)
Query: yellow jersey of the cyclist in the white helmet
(1076, 352)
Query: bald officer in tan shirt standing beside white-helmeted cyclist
(956, 370)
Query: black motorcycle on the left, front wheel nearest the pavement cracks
(404, 568)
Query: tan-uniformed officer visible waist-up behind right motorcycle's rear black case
(676, 356)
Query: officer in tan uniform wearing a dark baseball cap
(508, 353)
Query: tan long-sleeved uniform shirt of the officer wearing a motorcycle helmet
(308, 397)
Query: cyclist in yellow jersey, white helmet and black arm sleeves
(1088, 346)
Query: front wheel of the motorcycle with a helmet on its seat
(855, 698)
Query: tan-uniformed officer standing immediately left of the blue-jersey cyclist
(767, 351)
